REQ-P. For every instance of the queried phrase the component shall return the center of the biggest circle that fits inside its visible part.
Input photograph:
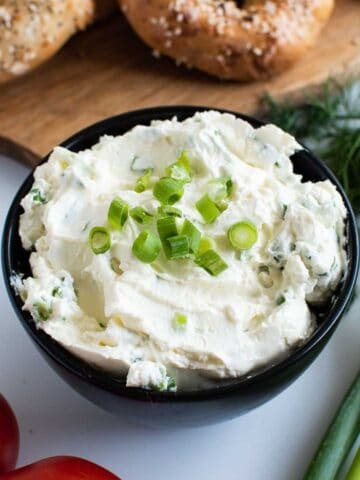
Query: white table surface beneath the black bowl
(273, 442)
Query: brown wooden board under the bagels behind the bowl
(108, 70)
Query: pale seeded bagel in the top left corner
(31, 31)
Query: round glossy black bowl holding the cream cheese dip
(183, 408)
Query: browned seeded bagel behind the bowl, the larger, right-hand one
(245, 40)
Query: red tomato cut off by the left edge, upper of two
(9, 437)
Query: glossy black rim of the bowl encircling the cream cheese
(109, 382)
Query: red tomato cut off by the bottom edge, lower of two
(60, 468)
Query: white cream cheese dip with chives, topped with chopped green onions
(228, 291)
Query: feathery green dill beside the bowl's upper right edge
(329, 124)
